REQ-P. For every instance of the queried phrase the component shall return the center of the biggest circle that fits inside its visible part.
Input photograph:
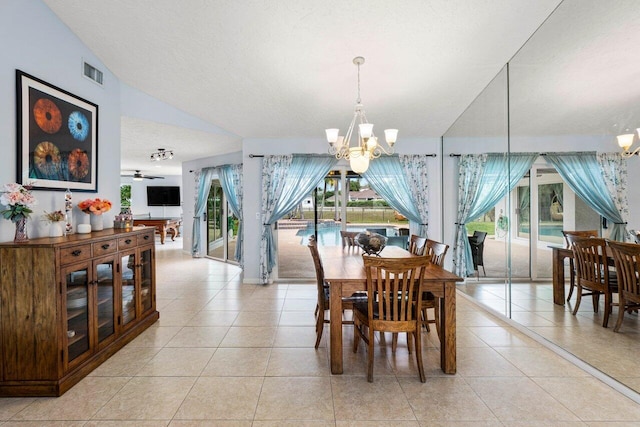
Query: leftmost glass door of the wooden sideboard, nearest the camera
(77, 303)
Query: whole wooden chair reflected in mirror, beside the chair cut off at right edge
(592, 274)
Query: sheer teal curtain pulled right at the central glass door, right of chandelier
(387, 177)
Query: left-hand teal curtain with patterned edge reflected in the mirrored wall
(484, 180)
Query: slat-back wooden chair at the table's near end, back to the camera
(392, 286)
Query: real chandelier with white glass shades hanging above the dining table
(367, 146)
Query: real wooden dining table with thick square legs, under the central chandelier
(344, 272)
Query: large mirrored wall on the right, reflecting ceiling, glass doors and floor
(572, 87)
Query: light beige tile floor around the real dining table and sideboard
(228, 354)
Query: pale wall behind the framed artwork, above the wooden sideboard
(33, 40)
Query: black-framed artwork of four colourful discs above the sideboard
(57, 137)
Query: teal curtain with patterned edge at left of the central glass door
(286, 181)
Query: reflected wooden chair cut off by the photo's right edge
(626, 257)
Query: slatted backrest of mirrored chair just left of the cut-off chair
(591, 261)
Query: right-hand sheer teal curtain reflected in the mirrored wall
(583, 174)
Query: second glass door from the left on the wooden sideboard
(104, 271)
